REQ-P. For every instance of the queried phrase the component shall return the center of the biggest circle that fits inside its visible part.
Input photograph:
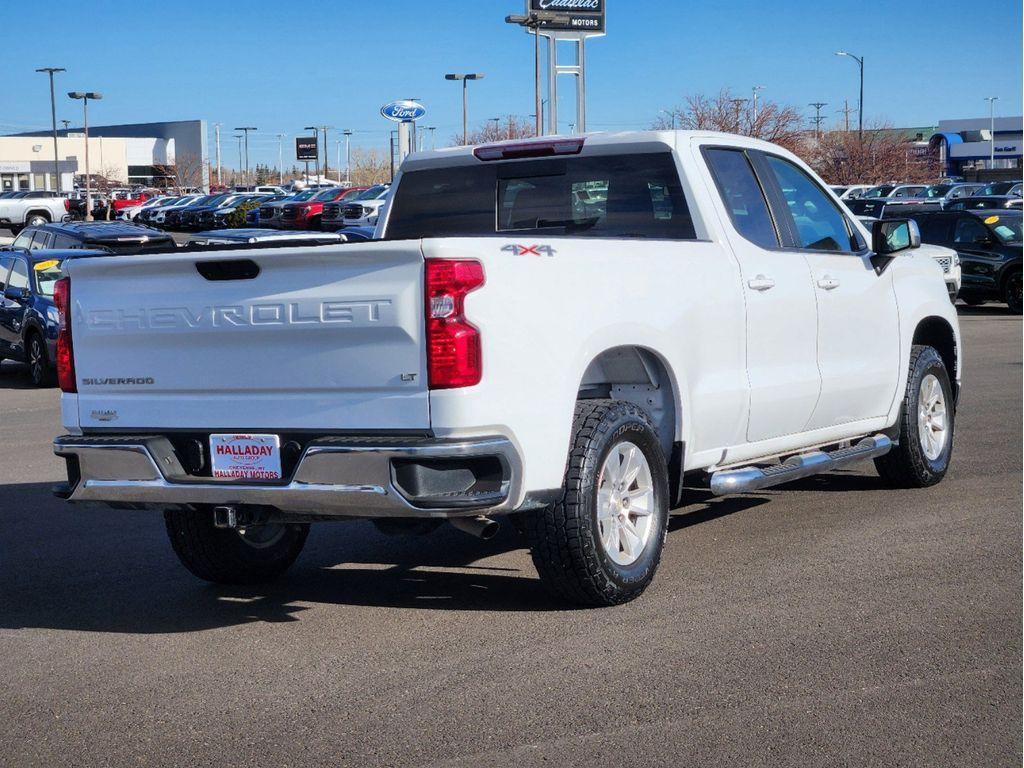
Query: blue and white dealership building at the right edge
(965, 147)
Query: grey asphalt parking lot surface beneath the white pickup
(829, 623)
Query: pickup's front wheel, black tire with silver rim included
(926, 425)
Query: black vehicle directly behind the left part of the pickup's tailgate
(116, 237)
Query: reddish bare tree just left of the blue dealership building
(883, 155)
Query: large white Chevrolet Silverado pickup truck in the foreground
(567, 330)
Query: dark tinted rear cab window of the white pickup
(603, 196)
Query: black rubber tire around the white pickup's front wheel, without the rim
(908, 466)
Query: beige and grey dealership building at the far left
(135, 154)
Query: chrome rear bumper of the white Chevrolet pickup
(334, 477)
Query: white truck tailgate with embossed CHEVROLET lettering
(324, 338)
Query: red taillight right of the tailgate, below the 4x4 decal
(454, 358)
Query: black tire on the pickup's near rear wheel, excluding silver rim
(565, 538)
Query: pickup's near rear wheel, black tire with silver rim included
(603, 543)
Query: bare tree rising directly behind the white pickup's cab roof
(777, 123)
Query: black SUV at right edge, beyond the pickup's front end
(990, 248)
